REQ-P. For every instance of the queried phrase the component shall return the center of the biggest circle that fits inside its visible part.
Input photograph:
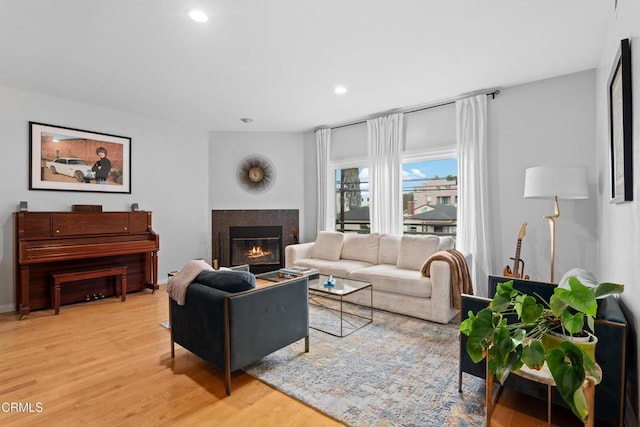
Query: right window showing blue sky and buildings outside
(430, 196)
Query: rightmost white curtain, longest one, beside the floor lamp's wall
(473, 232)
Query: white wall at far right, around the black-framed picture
(618, 228)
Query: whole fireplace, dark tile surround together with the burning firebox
(254, 237)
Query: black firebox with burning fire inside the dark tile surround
(258, 246)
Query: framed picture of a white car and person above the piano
(68, 159)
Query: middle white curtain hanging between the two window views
(385, 138)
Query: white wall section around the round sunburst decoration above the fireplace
(285, 150)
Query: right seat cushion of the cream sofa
(389, 278)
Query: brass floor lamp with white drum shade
(546, 182)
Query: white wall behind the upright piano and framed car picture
(169, 176)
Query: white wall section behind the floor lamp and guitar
(549, 122)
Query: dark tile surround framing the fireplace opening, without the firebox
(222, 220)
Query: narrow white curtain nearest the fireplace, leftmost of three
(325, 220)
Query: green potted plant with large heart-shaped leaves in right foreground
(513, 331)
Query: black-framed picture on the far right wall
(620, 126)
